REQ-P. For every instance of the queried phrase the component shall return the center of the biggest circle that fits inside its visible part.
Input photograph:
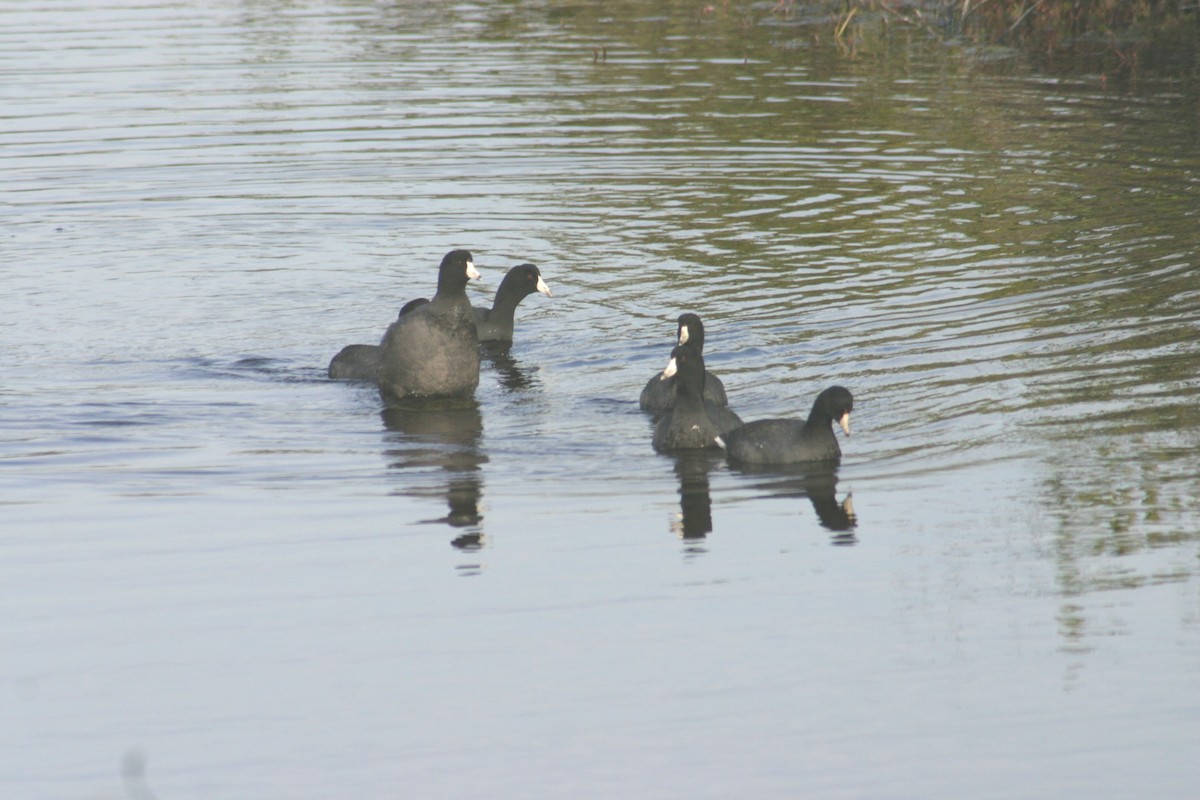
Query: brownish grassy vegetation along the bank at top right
(1107, 37)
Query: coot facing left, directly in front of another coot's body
(693, 423)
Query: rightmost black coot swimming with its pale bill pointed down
(790, 442)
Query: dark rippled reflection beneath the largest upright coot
(437, 444)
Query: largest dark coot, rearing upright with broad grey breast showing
(434, 350)
